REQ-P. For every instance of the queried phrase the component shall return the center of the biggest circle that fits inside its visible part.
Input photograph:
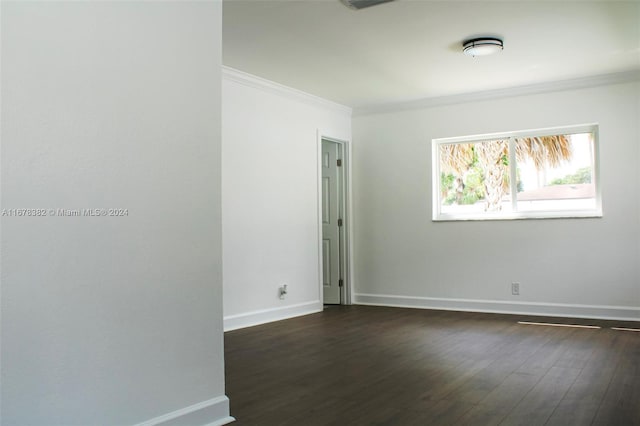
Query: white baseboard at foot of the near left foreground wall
(213, 412)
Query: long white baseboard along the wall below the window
(620, 313)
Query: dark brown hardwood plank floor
(360, 365)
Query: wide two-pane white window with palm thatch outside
(546, 173)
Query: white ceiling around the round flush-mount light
(408, 50)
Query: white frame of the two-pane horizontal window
(545, 214)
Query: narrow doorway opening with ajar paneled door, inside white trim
(333, 222)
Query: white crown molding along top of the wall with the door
(249, 80)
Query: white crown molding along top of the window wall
(533, 89)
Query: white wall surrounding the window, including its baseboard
(403, 258)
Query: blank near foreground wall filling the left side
(112, 320)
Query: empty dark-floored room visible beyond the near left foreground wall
(441, 306)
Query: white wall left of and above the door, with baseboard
(270, 196)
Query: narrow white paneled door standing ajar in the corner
(332, 207)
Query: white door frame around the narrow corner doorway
(346, 247)
